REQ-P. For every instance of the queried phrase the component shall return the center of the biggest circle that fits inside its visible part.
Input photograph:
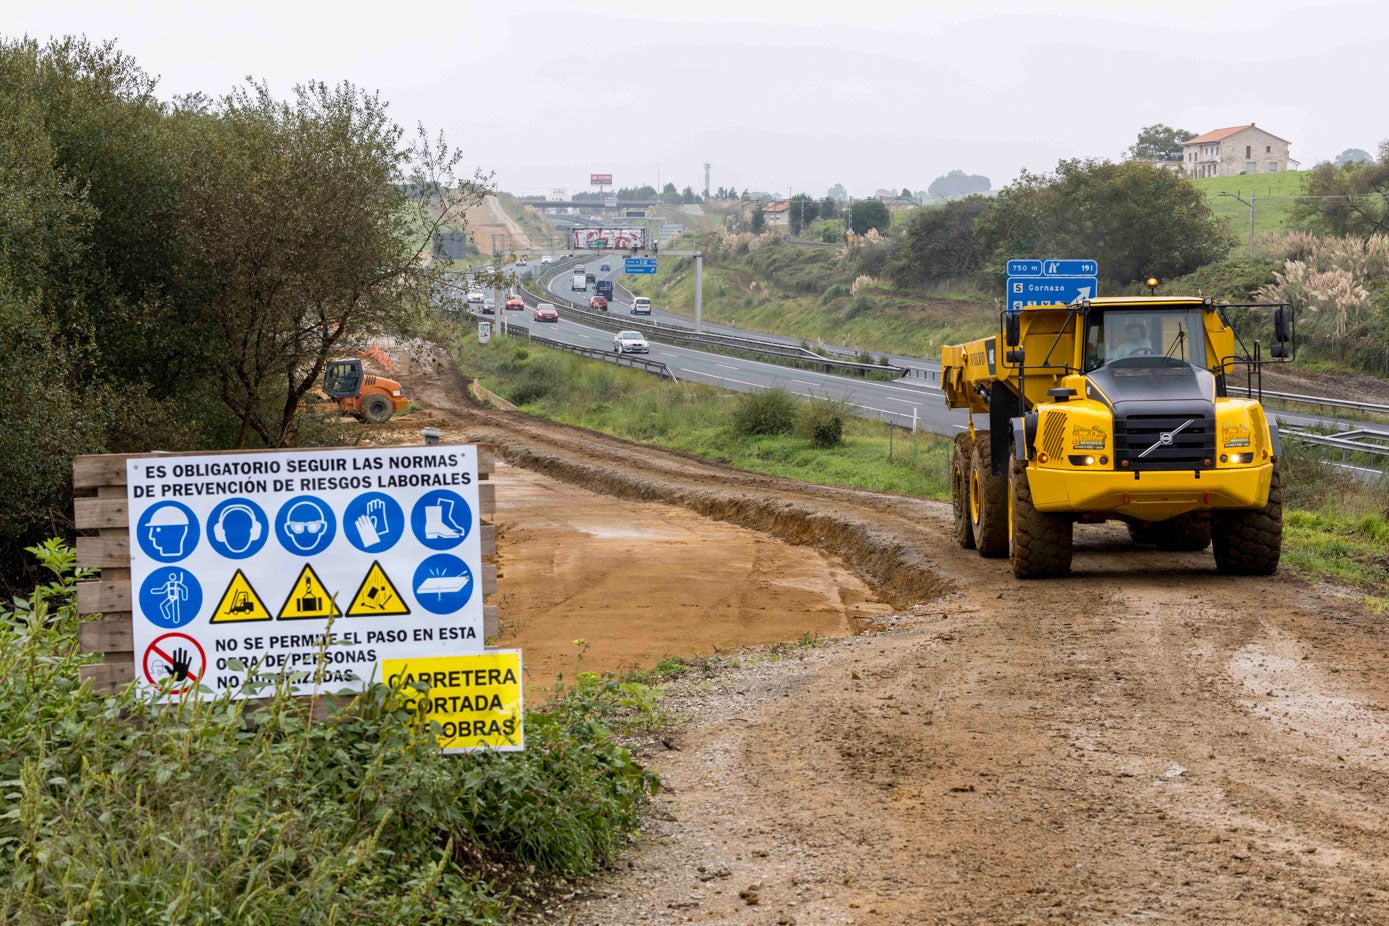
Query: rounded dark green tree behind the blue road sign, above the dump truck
(1134, 219)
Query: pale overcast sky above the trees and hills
(780, 95)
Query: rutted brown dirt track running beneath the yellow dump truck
(1144, 742)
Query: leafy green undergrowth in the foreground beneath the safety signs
(123, 810)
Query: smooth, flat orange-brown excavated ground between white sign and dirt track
(638, 582)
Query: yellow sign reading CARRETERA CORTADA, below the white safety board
(472, 702)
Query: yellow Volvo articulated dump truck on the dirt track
(1119, 410)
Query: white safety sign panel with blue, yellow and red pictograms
(290, 559)
